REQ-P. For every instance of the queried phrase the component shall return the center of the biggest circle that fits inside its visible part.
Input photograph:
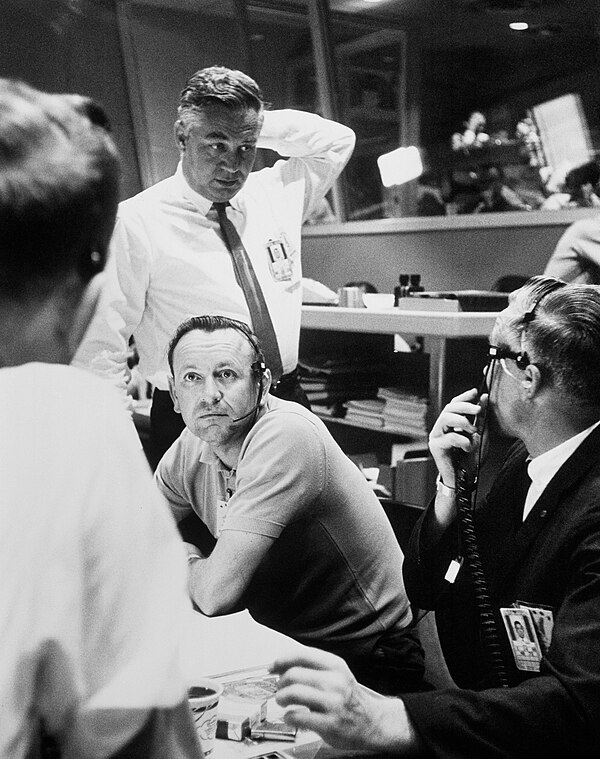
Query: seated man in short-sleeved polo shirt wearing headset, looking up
(275, 517)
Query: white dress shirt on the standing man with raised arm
(169, 262)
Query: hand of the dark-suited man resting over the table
(322, 695)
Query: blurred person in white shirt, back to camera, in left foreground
(92, 598)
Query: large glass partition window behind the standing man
(505, 120)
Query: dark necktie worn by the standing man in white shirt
(247, 280)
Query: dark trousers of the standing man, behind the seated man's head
(166, 424)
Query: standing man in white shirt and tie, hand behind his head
(170, 259)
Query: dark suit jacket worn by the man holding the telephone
(551, 559)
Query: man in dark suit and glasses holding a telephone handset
(538, 551)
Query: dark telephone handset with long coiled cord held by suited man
(466, 493)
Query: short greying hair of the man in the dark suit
(558, 326)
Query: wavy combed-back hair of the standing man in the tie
(217, 84)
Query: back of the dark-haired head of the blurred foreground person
(59, 186)
